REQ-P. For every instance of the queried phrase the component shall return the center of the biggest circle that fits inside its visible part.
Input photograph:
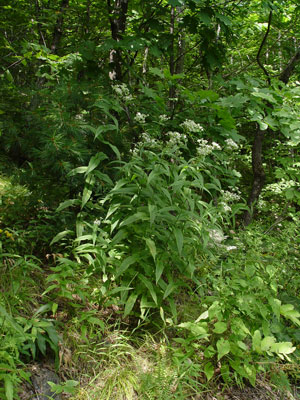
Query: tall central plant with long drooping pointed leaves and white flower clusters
(158, 225)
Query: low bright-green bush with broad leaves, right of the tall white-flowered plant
(244, 320)
